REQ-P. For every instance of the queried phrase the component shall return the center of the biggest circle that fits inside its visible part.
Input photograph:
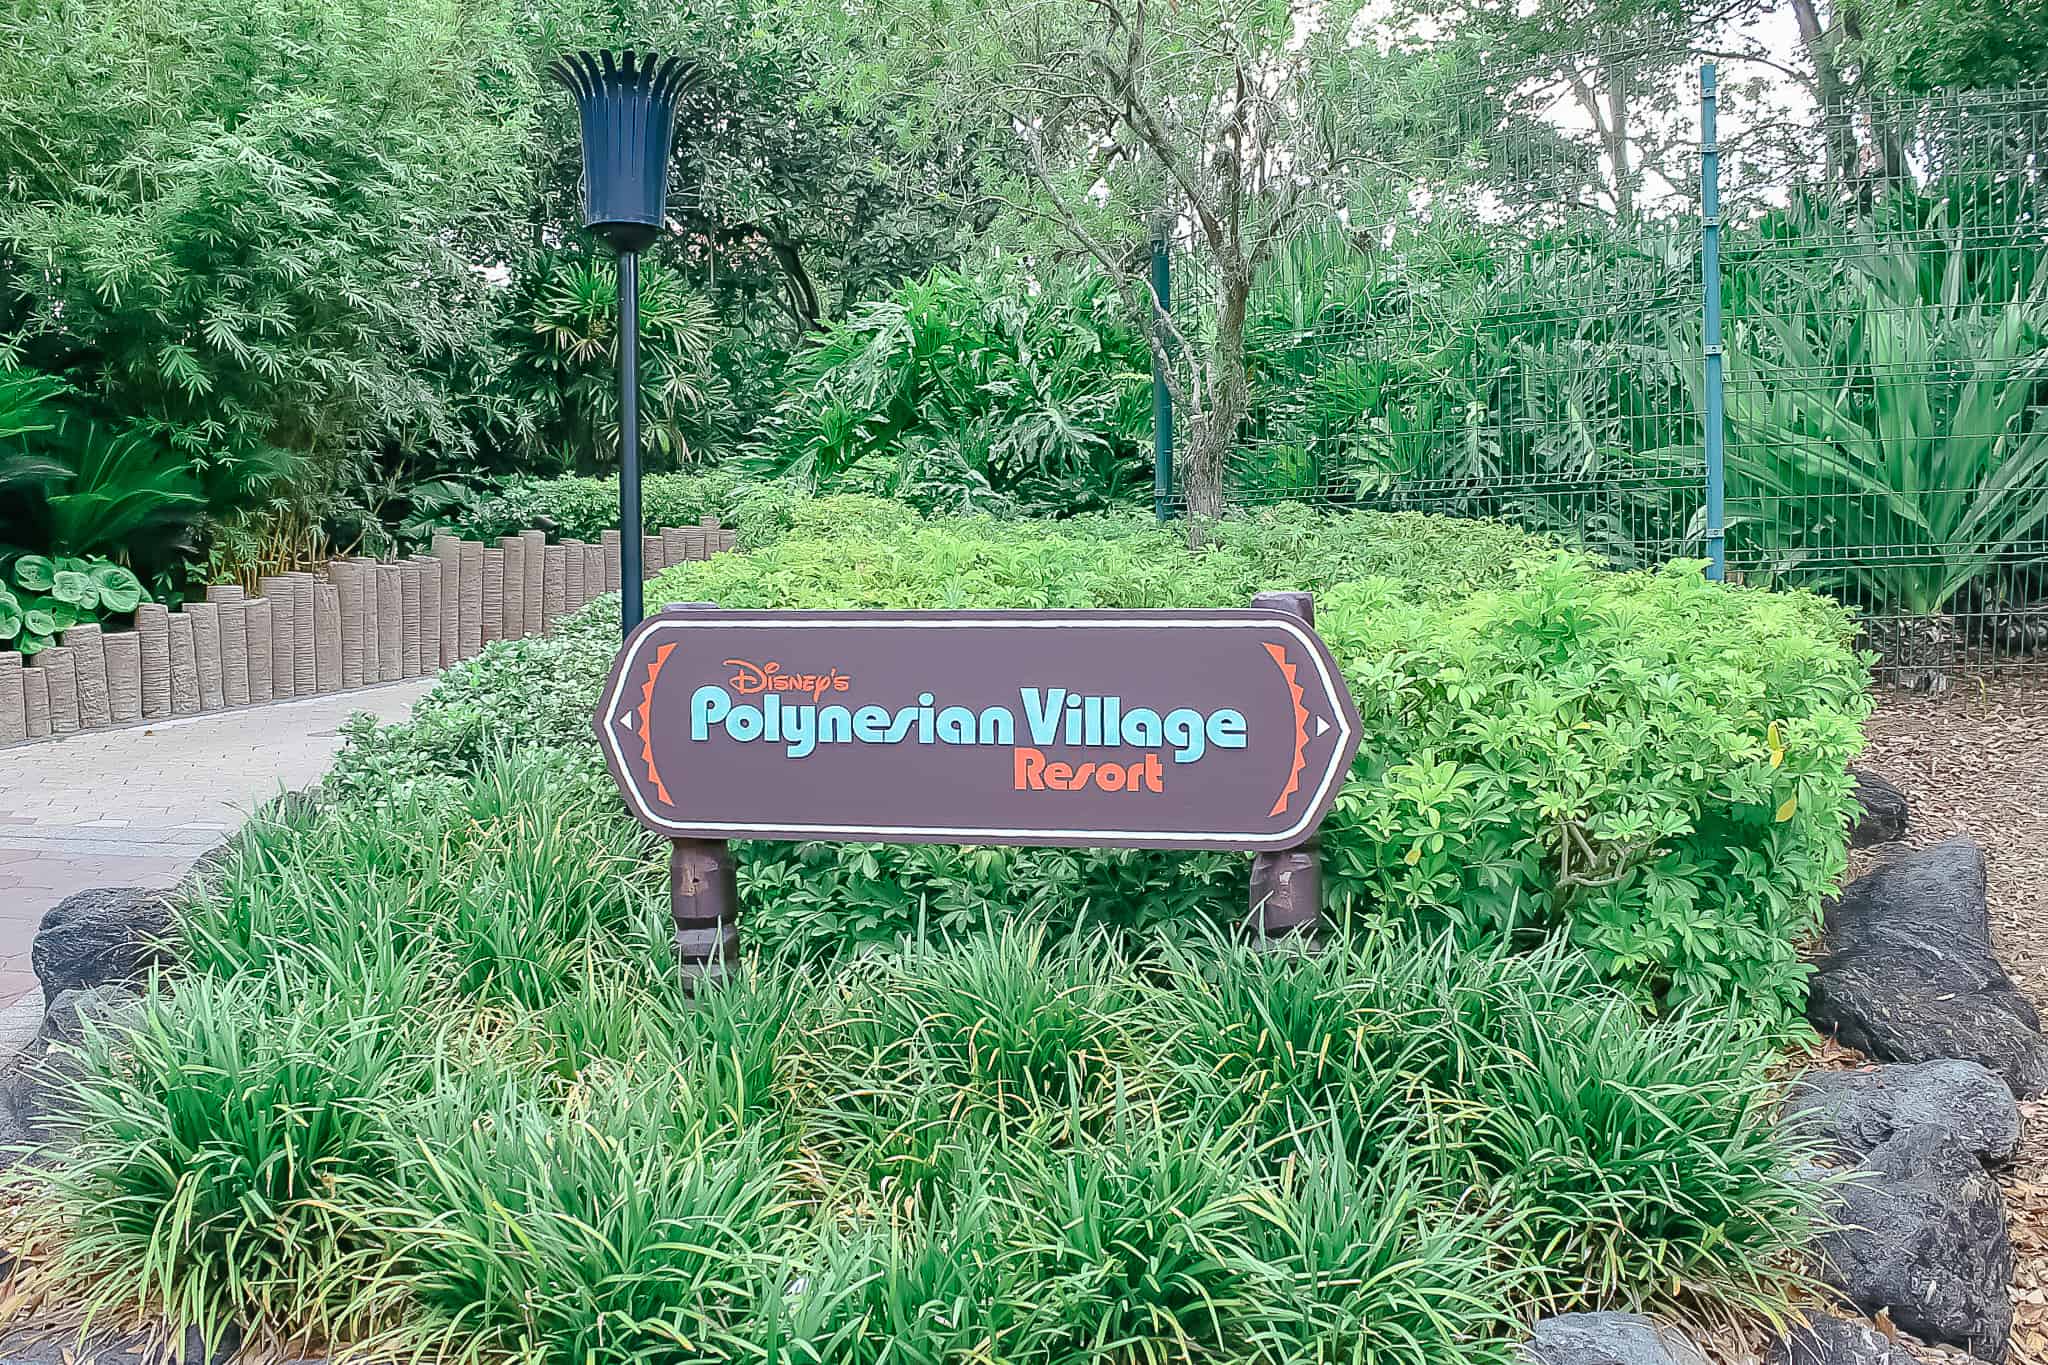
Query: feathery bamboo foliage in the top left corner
(232, 259)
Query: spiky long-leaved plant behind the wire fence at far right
(1885, 421)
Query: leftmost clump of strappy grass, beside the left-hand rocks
(228, 1147)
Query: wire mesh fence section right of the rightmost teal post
(1889, 380)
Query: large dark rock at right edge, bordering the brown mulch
(1910, 975)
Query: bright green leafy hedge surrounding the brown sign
(1650, 764)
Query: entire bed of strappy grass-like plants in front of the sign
(431, 1088)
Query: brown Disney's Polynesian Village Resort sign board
(1201, 730)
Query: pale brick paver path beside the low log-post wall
(134, 807)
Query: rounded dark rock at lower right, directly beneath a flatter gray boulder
(1920, 1233)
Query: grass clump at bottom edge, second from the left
(577, 1231)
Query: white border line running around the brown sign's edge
(1113, 621)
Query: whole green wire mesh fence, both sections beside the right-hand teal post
(1517, 331)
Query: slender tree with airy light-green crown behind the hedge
(1213, 122)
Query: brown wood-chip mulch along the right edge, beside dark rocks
(1975, 762)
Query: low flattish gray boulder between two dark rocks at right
(1859, 1112)
